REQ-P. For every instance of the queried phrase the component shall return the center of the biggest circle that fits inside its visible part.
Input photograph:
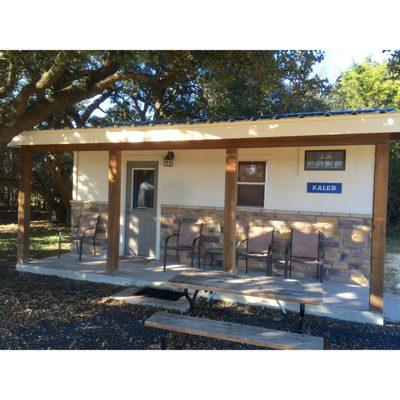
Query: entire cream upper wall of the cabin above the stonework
(197, 178)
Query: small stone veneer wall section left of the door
(78, 208)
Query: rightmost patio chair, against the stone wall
(304, 248)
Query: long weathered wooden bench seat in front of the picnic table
(233, 332)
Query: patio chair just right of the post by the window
(258, 246)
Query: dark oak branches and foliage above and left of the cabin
(63, 89)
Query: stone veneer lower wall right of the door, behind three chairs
(347, 237)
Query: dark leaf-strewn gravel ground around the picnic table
(42, 312)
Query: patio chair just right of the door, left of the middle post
(188, 238)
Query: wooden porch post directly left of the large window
(230, 208)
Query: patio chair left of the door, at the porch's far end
(86, 230)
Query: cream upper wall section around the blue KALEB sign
(287, 182)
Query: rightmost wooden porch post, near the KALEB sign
(378, 246)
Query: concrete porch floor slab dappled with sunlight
(341, 300)
